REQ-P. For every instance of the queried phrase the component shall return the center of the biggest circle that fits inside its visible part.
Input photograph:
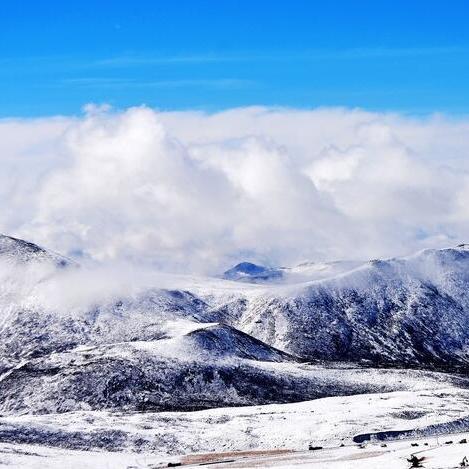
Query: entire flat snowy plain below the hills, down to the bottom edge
(154, 439)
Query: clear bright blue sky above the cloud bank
(409, 56)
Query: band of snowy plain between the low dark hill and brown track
(166, 436)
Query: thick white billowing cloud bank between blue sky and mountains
(190, 191)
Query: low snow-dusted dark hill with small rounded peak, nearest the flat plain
(207, 367)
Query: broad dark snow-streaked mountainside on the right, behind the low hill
(408, 311)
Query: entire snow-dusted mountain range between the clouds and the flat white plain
(181, 342)
